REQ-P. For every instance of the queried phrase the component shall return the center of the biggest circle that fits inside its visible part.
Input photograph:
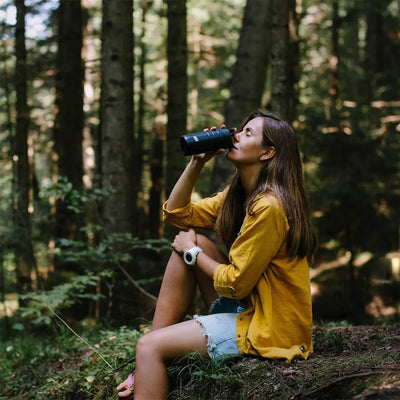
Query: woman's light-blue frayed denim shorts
(219, 327)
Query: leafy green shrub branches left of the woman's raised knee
(99, 261)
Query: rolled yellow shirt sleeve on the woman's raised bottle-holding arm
(199, 216)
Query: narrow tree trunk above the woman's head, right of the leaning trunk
(284, 59)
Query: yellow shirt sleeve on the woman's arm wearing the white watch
(262, 235)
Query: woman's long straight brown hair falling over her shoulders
(282, 176)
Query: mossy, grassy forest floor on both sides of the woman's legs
(349, 362)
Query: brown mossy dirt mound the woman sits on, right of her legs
(361, 363)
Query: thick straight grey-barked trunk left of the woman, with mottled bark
(117, 122)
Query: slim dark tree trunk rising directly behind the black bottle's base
(177, 92)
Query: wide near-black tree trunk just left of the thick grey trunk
(69, 102)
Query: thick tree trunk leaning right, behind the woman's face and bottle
(249, 76)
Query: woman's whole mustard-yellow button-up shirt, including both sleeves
(278, 320)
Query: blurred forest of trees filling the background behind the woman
(94, 98)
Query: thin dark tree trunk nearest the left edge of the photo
(25, 260)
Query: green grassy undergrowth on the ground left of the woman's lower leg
(63, 367)
